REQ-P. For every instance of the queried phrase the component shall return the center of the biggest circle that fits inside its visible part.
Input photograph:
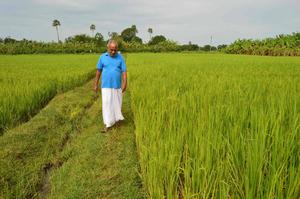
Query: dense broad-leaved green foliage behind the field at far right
(282, 45)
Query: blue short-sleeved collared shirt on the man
(112, 68)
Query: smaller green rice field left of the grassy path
(28, 82)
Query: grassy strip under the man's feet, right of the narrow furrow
(106, 164)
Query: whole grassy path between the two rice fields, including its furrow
(60, 153)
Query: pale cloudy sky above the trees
(178, 20)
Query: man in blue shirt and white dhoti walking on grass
(113, 83)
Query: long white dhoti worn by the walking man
(111, 106)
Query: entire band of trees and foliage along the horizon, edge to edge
(282, 45)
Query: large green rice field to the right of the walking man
(217, 126)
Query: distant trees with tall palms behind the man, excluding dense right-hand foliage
(95, 43)
